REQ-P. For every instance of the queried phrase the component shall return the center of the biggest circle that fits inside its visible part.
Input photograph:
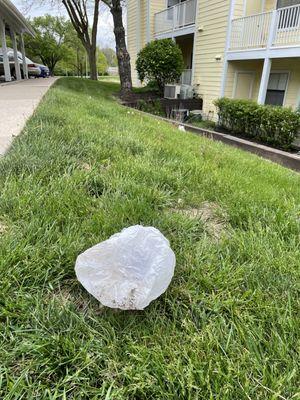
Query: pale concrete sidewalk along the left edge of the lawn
(18, 100)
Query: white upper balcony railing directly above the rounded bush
(176, 17)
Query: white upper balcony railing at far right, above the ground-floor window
(272, 29)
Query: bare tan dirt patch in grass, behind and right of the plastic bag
(211, 214)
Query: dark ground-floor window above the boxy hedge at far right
(277, 88)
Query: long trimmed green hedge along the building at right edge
(276, 126)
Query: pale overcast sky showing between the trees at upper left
(105, 29)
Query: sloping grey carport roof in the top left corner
(14, 18)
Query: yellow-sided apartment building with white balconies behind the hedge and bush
(247, 49)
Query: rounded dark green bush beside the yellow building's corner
(160, 61)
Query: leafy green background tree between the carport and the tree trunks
(50, 43)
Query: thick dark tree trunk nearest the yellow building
(121, 49)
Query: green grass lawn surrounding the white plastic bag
(228, 326)
